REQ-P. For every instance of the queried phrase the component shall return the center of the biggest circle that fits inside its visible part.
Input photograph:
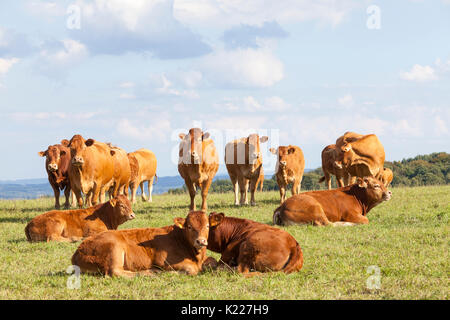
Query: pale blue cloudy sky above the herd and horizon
(137, 73)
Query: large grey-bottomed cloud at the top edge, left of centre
(147, 26)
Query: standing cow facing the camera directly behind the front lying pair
(198, 163)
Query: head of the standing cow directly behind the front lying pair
(191, 146)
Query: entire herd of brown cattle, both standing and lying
(92, 168)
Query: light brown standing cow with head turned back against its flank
(361, 157)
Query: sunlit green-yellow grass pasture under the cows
(407, 239)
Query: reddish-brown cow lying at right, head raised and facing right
(344, 206)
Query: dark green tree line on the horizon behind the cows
(423, 170)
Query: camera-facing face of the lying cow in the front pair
(195, 227)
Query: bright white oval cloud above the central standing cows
(242, 68)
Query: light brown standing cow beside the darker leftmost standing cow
(91, 169)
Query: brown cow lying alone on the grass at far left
(73, 225)
